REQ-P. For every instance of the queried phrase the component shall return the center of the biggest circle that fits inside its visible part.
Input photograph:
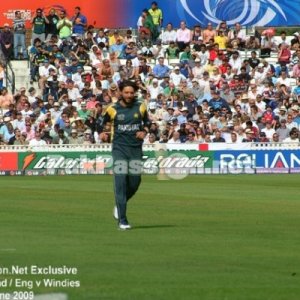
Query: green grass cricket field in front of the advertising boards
(204, 237)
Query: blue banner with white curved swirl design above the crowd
(245, 12)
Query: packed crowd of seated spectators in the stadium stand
(201, 85)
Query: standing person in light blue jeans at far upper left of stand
(19, 35)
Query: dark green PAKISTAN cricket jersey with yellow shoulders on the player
(126, 121)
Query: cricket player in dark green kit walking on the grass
(129, 126)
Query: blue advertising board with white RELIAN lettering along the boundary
(258, 161)
